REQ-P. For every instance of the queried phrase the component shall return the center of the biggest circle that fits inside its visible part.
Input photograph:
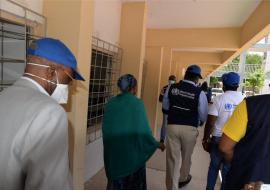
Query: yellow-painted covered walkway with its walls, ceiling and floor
(155, 38)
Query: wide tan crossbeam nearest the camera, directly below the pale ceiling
(211, 38)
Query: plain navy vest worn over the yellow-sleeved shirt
(251, 161)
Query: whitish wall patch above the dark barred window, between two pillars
(107, 19)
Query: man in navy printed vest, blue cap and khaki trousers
(187, 107)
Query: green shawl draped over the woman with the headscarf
(127, 138)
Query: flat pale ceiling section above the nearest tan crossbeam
(199, 13)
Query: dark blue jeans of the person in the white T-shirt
(216, 161)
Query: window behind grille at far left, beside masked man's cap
(14, 40)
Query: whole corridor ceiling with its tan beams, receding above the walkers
(213, 32)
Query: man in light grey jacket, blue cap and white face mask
(34, 127)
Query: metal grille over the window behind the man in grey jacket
(14, 41)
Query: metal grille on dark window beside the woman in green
(105, 71)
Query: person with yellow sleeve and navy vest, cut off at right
(246, 143)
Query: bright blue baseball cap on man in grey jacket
(56, 51)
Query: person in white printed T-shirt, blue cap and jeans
(219, 112)
